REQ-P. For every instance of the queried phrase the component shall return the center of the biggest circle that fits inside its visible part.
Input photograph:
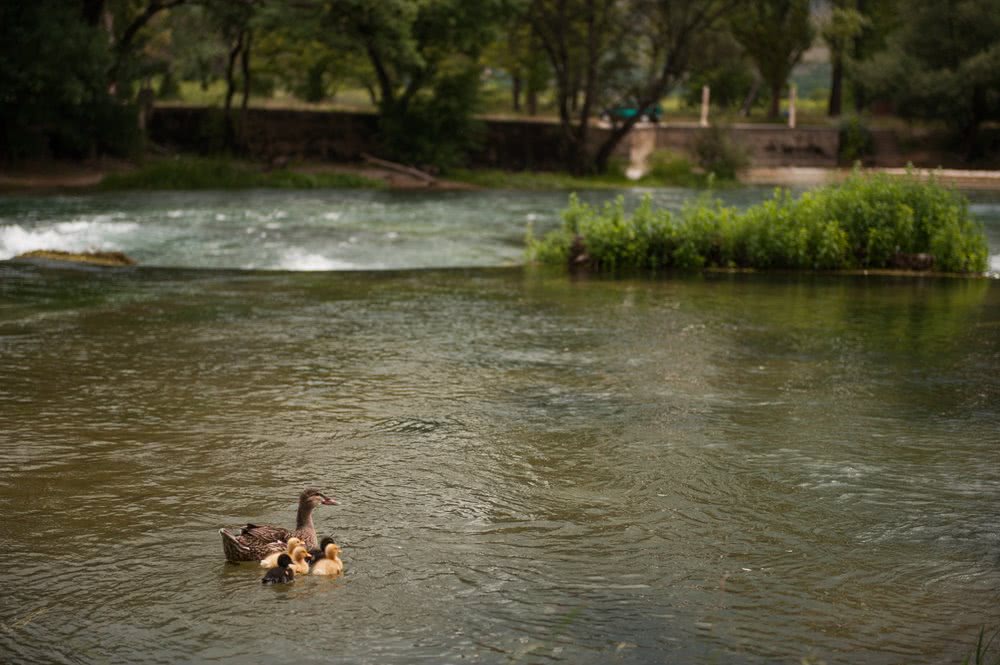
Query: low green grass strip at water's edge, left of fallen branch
(203, 173)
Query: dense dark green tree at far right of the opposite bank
(943, 63)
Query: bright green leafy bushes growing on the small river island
(866, 222)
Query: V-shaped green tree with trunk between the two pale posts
(775, 34)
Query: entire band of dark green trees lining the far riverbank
(77, 77)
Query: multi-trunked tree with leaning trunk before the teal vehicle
(602, 51)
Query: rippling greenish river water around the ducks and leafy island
(531, 468)
